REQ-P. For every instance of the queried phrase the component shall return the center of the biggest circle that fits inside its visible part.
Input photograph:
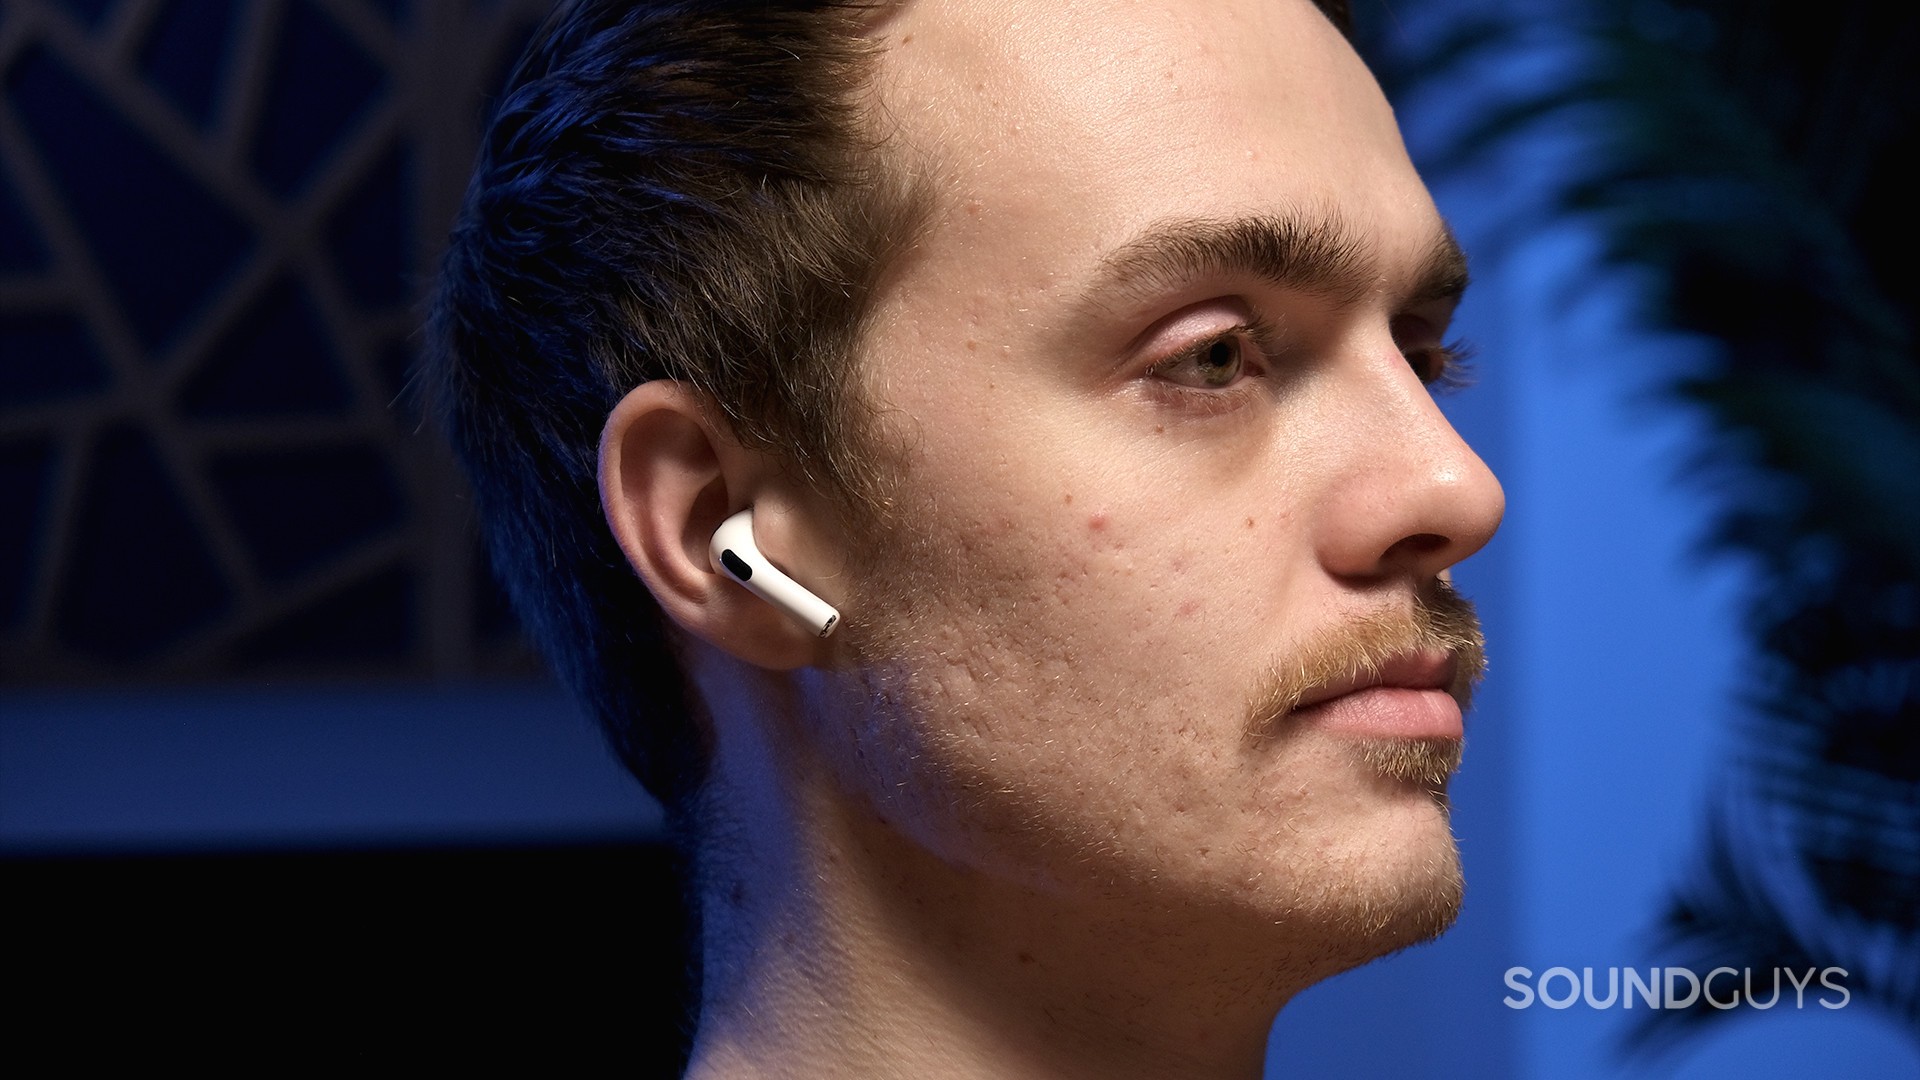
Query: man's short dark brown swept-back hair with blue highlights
(669, 189)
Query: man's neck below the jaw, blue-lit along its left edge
(840, 948)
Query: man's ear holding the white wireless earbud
(669, 476)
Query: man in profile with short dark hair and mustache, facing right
(1078, 355)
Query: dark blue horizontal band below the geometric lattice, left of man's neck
(289, 768)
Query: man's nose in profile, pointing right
(1406, 495)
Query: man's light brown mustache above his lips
(1439, 620)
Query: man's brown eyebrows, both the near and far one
(1314, 255)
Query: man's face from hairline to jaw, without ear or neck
(1159, 376)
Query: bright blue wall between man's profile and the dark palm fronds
(1608, 714)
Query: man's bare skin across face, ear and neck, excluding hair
(1034, 812)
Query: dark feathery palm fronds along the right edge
(1746, 164)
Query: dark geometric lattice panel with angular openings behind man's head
(216, 228)
